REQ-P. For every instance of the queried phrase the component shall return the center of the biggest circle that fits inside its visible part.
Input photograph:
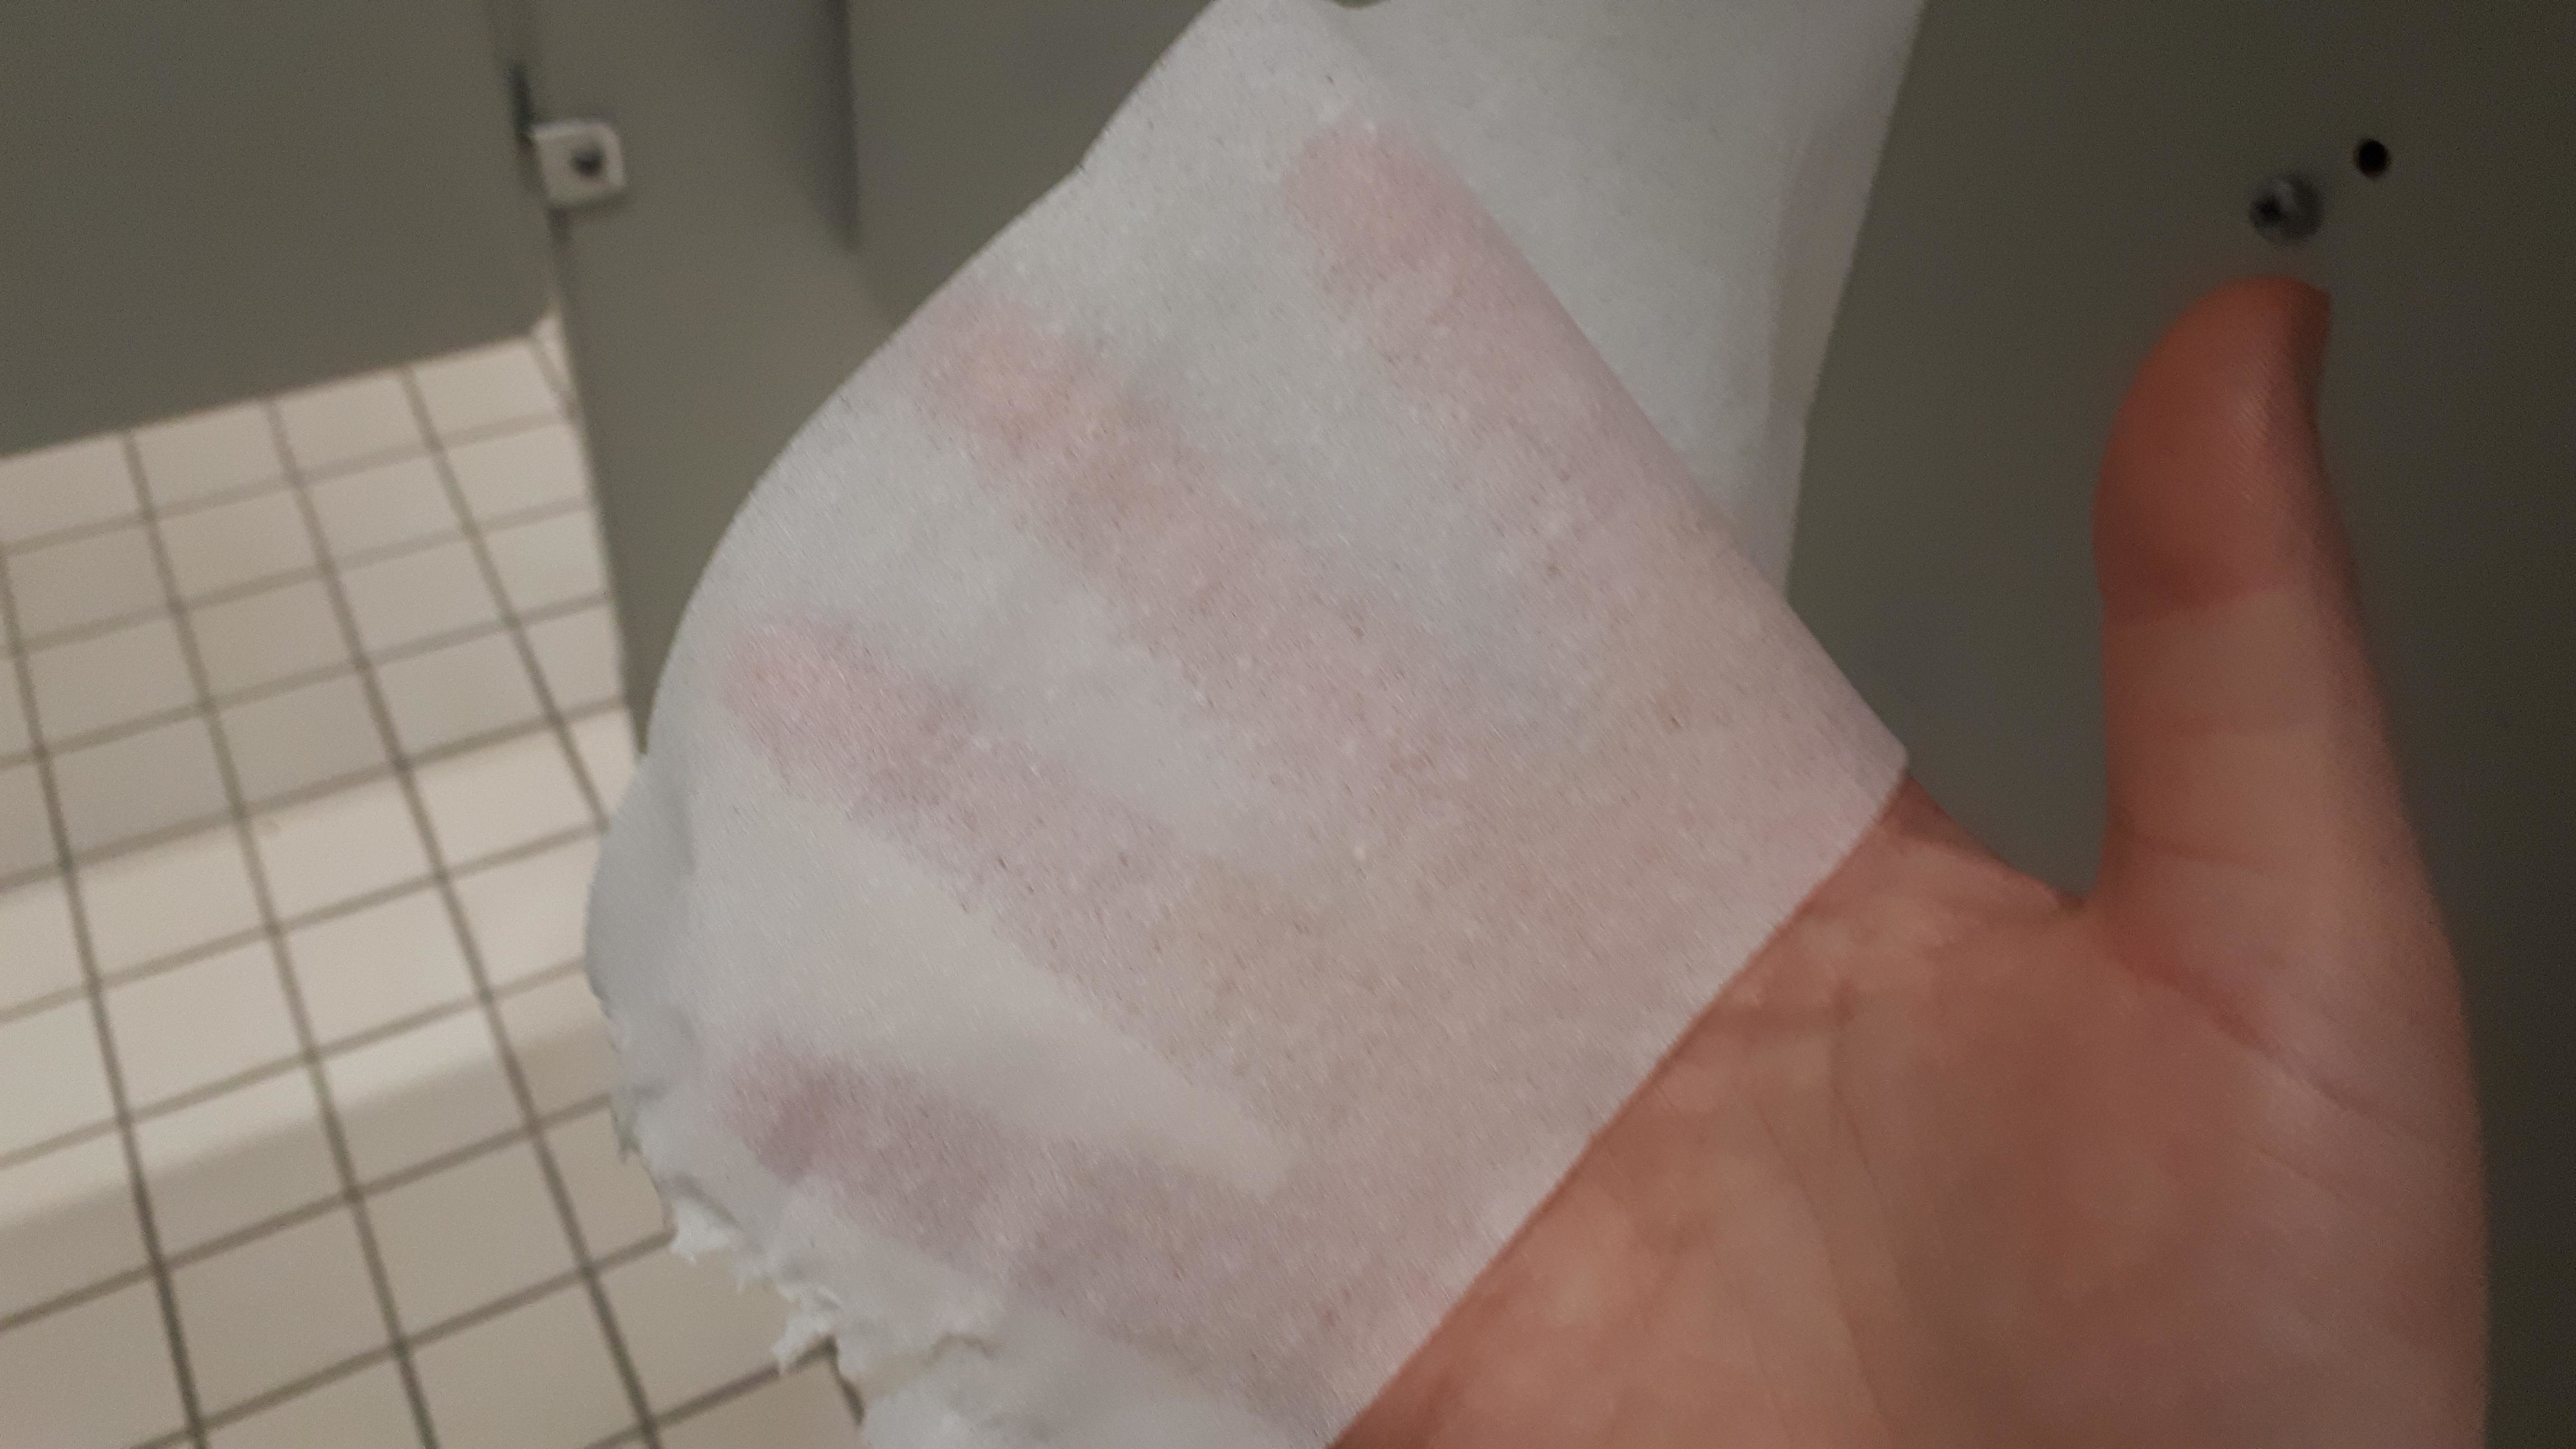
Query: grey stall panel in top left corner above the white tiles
(215, 200)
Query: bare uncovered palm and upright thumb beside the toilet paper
(1967, 1162)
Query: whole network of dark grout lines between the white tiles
(555, 718)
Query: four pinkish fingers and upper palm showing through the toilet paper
(1508, 883)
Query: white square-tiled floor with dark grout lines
(359, 1154)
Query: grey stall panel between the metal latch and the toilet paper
(800, 174)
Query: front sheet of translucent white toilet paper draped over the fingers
(1202, 780)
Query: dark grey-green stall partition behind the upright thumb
(2060, 182)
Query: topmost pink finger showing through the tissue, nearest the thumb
(1565, 465)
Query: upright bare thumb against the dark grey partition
(2248, 759)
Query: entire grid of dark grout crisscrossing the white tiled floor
(362, 664)
